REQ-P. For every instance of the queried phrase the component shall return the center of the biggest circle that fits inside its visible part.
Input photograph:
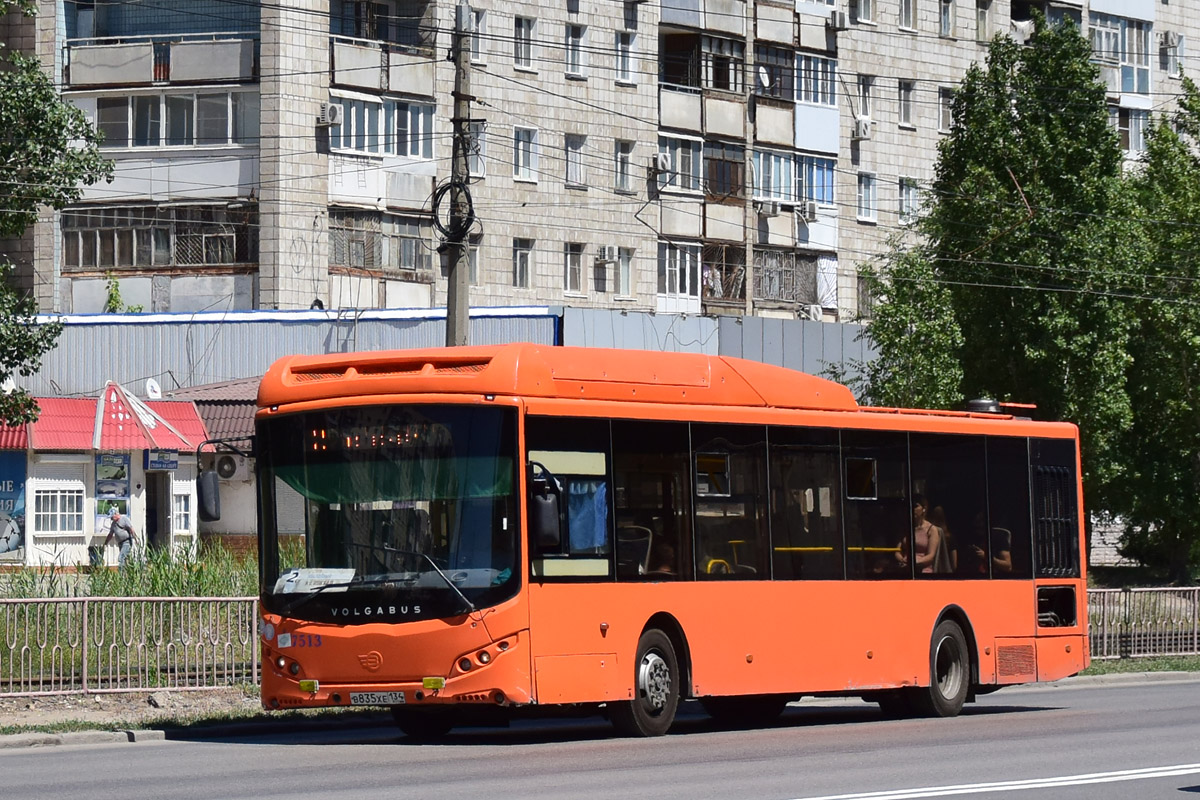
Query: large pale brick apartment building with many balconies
(685, 157)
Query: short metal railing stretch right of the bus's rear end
(1138, 623)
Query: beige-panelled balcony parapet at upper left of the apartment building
(147, 61)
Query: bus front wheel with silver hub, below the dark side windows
(656, 689)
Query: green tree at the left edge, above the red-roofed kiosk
(49, 153)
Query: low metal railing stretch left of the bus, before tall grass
(118, 645)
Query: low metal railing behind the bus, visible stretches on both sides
(117, 645)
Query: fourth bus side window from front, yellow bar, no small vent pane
(806, 504)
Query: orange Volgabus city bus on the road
(496, 531)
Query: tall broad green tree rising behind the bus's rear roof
(1029, 239)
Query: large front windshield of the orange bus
(388, 513)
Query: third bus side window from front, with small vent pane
(731, 502)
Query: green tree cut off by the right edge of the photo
(1161, 496)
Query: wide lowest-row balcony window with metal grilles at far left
(146, 236)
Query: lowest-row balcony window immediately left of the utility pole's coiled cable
(370, 240)
